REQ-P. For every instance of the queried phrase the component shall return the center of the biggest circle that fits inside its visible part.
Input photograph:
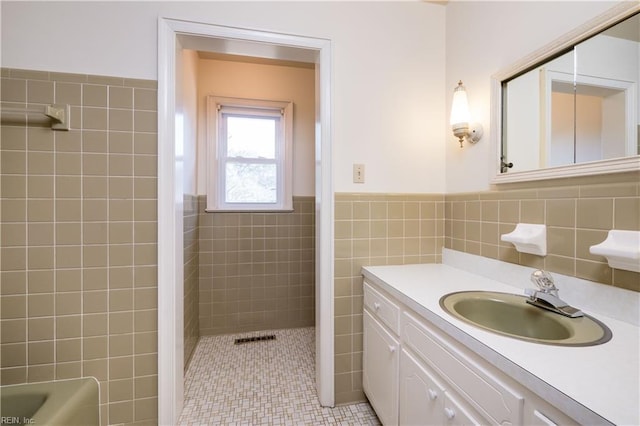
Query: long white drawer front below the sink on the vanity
(484, 390)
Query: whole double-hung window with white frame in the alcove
(250, 155)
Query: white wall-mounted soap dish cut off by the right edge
(621, 248)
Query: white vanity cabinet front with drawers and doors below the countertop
(416, 374)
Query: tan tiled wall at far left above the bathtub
(79, 241)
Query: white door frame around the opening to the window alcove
(170, 208)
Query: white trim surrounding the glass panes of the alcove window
(215, 189)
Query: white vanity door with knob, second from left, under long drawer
(421, 394)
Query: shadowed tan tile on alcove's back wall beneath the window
(257, 270)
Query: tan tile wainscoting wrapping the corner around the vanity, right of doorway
(385, 229)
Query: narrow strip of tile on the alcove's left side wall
(191, 275)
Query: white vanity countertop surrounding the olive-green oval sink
(604, 378)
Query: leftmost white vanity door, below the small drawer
(380, 369)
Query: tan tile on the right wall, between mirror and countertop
(577, 217)
